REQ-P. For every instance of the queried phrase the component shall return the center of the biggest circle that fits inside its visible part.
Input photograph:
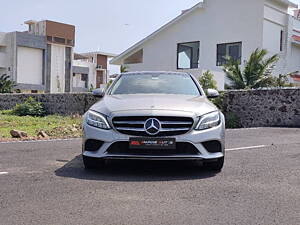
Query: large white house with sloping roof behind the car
(199, 38)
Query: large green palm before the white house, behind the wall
(255, 74)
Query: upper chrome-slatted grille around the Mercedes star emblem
(170, 126)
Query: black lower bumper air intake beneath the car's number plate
(182, 148)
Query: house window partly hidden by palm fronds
(233, 50)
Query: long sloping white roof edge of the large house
(118, 59)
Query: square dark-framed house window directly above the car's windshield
(188, 55)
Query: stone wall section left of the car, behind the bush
(64, 104)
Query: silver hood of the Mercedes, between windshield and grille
(112, 104)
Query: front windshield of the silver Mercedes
(177, 84)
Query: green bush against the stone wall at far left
(29, 108)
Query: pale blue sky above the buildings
(101, 25)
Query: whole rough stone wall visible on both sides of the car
(258, 108)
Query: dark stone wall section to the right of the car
(265, 108)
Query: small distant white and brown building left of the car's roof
(92, 70)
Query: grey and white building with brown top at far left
(40, 59)
